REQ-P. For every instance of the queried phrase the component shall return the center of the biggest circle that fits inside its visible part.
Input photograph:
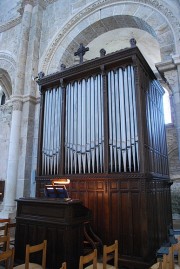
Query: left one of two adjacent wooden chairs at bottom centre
(89, 258)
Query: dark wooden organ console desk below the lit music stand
(59, 222)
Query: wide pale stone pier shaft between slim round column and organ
(30, 120)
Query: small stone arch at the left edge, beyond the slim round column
(7, 73)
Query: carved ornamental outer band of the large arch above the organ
(99, 5)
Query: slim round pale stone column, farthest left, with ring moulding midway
(9, 205)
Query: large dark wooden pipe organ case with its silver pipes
(102, 126)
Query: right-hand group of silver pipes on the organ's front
(123, 139)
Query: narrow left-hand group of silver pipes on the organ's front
(51, 131)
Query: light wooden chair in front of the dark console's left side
(32, 249)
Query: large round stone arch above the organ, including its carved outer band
(154, 16)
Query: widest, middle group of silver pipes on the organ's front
(84, 113)
